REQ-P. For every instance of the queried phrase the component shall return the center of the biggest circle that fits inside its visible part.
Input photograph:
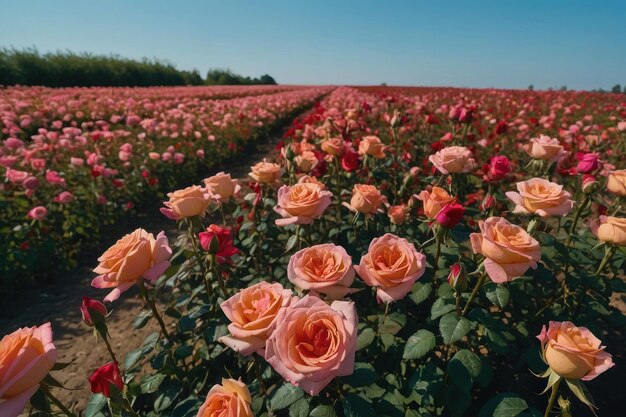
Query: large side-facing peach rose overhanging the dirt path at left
(134, 256)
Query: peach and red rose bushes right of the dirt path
(387, 264)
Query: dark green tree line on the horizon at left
(69, 69)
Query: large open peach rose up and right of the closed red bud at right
(508, 249)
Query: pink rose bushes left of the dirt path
(74, 160)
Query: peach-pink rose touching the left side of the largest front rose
(252, 313)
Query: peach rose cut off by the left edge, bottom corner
(26, 357)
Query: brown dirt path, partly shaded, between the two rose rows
(59, 302)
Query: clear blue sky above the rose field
(480, 43)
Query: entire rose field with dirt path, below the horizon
(312, 251)
